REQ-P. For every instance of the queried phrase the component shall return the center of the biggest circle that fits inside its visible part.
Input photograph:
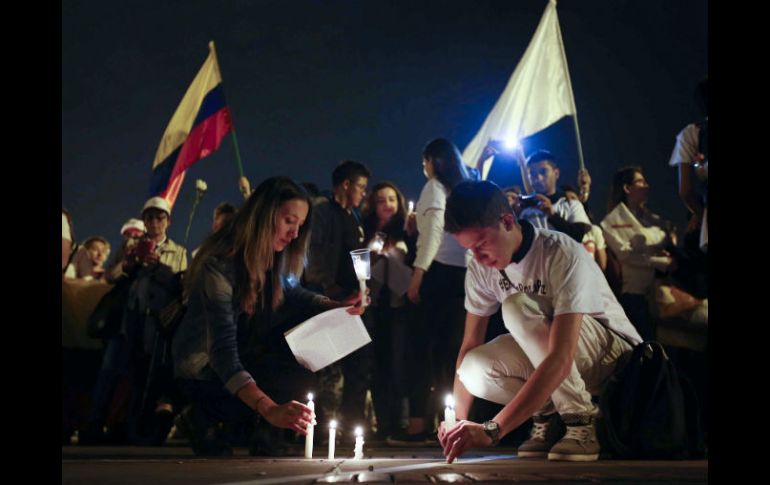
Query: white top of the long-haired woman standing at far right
(637, 246)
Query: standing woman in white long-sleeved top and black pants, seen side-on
(437, 288)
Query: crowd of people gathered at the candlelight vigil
(198, 348)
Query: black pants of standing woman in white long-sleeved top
(438, 323)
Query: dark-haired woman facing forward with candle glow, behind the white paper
(385, 213)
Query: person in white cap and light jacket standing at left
(149, 272)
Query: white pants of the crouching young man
(497, 370)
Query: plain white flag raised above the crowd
(538, 94)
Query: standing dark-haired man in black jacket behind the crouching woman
(337, 230)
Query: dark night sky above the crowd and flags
(310, 83)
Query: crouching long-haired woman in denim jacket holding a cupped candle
(230, 356)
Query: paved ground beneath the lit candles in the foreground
(177, 465)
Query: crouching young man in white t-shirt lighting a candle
(568, 334)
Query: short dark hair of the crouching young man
(475, 204)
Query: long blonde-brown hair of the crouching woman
(248, 239)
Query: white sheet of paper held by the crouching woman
(326, 338)
